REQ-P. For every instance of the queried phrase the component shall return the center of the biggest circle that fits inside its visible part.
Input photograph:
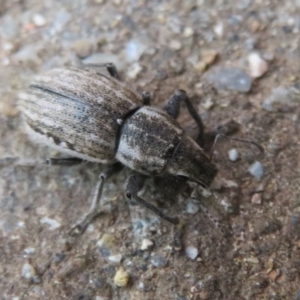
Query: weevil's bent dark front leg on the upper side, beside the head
(173, 109)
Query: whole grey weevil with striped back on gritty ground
(97, 118)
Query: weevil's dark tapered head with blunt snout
(189, 162)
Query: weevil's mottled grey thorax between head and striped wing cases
(147, 140)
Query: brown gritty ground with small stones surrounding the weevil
(158, 46)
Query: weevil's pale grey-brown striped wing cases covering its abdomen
(78, 112)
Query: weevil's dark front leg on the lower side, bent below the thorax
(134, 185)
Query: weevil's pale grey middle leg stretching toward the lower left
(95, 208)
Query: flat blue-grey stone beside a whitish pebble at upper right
(230, 79)
